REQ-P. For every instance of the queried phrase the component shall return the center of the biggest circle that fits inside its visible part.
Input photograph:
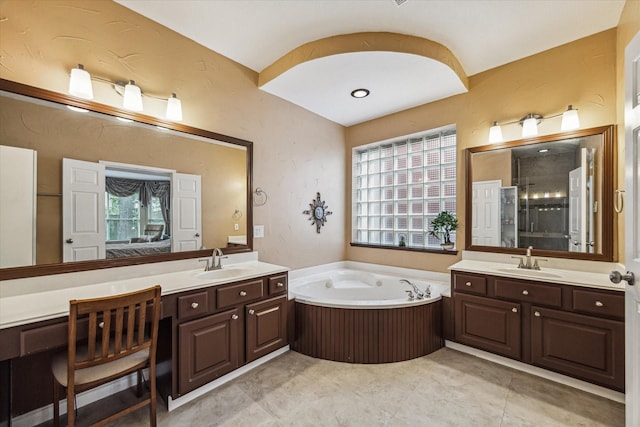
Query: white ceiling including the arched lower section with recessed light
(481, 34)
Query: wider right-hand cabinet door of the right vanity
(584, 347)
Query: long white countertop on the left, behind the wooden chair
(48, 303)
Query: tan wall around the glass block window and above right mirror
(581, 73)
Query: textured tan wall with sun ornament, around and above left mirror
(296, 153)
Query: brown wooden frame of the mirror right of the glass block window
(606, 204)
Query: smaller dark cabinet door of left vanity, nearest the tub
(266, 327)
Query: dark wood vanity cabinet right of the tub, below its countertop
(571, 330)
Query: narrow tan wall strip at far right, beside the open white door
(628, 27)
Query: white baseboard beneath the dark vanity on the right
(534, 370)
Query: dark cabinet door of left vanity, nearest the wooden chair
(208, 349)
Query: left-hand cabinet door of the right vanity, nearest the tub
(488, 324)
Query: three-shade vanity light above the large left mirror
(80, 86)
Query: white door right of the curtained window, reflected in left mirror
(186, 206)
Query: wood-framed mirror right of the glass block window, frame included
(554, 193)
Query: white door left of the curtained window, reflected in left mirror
(83, 205)
